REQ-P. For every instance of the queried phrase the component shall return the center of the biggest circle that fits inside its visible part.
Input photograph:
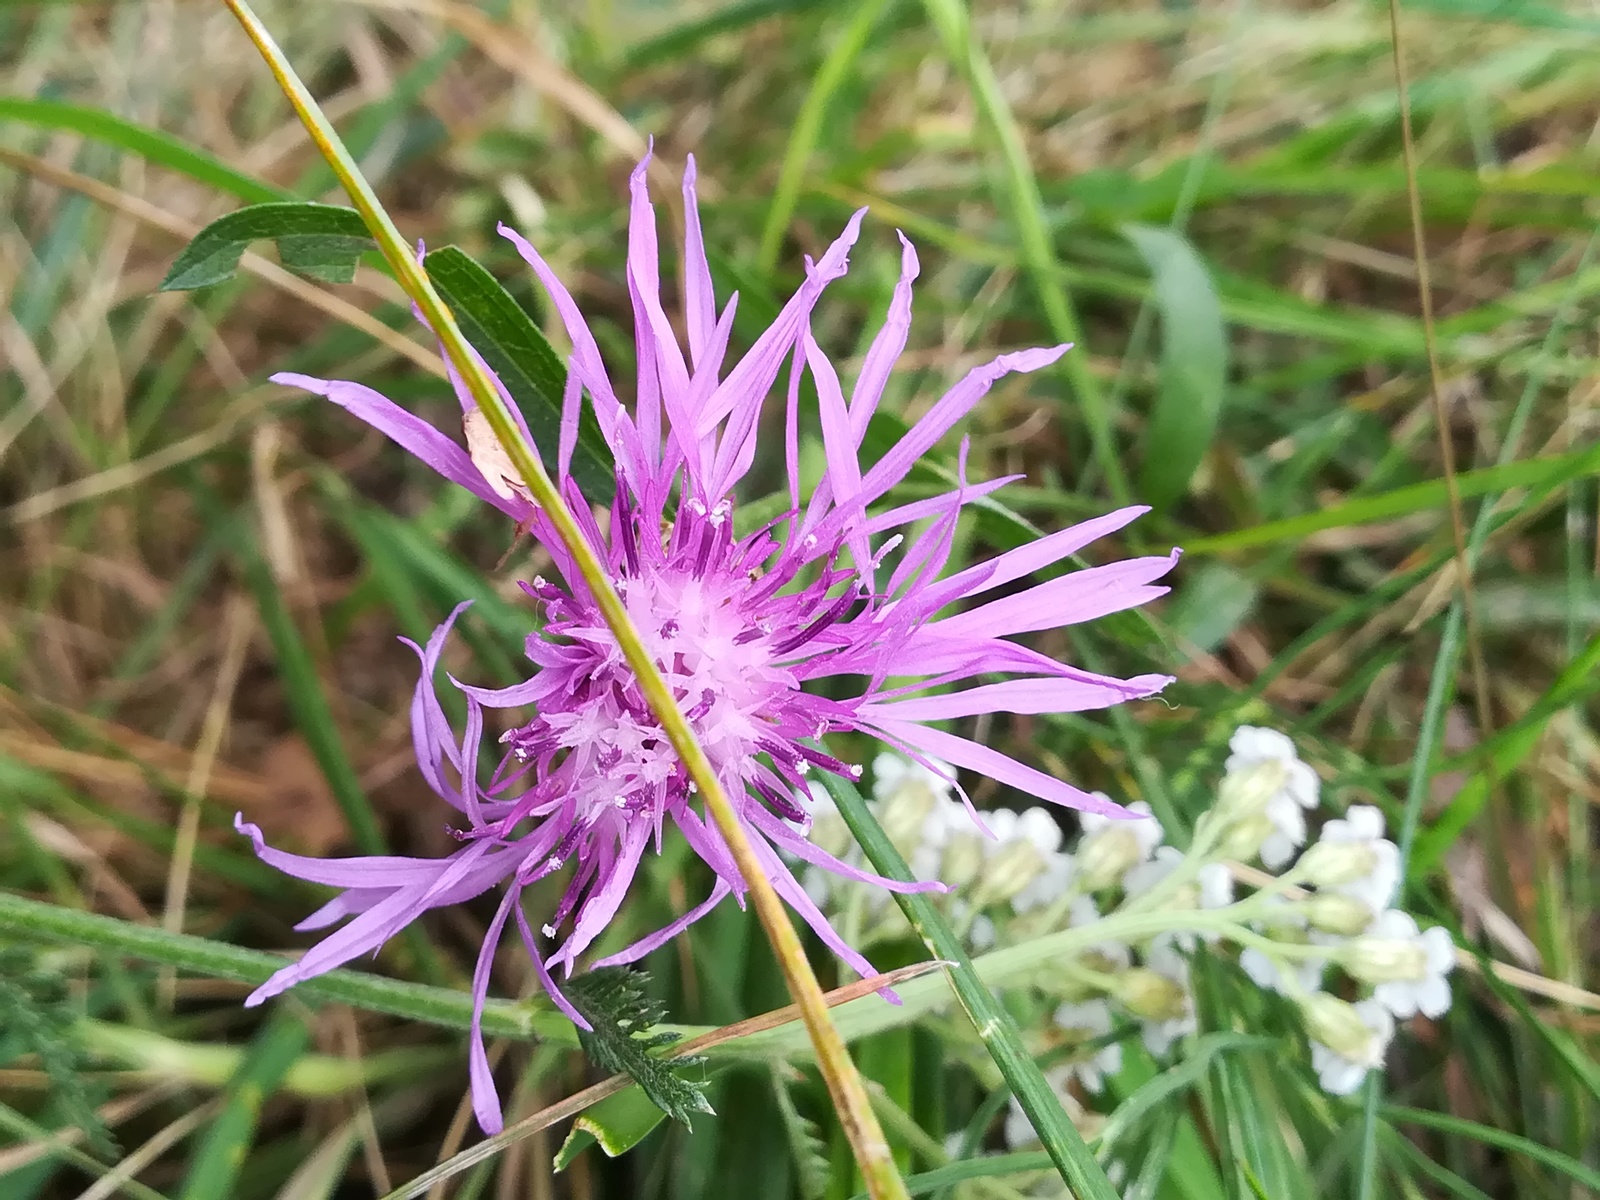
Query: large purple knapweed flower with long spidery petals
(740, 626)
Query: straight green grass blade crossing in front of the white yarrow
(993, 1022)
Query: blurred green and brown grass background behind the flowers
(202, 575)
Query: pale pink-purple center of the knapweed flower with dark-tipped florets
(726, 636)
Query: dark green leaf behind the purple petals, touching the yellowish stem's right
(526, 362)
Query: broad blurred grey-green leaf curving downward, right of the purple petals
(1194, 364)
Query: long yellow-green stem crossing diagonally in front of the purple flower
(839, 1073)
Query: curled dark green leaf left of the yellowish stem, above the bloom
(319, 241)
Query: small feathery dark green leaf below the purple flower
(617, 1006)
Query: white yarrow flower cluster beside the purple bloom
(1121, 914)
